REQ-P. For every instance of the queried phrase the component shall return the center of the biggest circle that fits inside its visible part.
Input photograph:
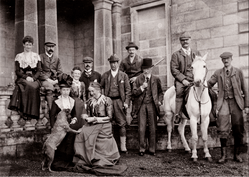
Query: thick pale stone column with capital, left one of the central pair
(103, 47)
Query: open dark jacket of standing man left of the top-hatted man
(123, 85)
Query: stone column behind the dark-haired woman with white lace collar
(25, 23)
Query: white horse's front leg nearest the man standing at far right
(204, 132)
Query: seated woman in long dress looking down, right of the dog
(95, 147)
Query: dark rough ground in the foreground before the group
(175, 163)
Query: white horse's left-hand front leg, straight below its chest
(193, 127)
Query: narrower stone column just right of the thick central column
(116, 27)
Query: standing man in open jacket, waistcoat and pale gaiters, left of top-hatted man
(116, 86)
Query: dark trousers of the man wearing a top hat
(147, 115)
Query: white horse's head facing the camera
(199, 70)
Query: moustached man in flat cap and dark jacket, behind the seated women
(89, 75)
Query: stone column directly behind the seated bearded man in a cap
(47, 25)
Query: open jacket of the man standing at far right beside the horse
(238, 83)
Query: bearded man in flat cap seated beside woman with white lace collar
(51, 70)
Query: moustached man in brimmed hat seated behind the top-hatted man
(131, 65)
